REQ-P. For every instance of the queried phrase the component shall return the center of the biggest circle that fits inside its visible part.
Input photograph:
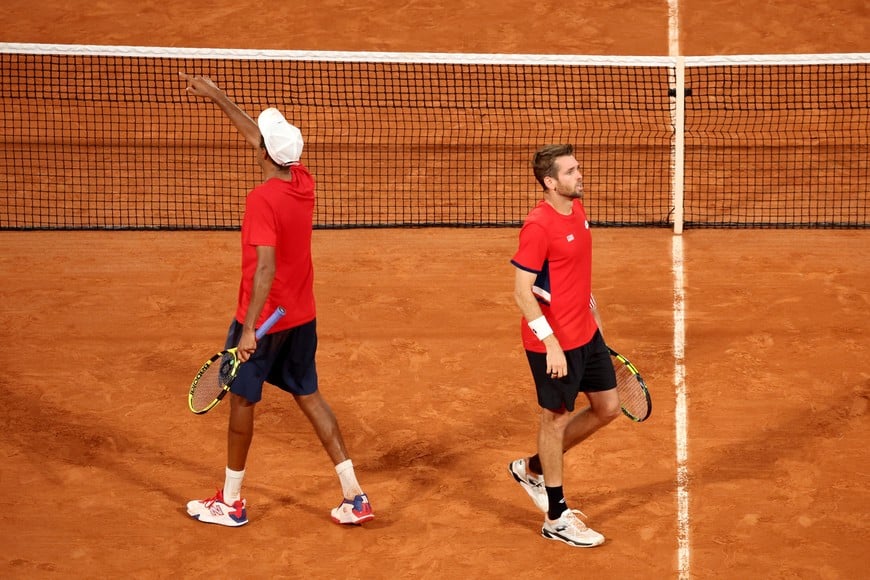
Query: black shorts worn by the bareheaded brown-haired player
(590, 369)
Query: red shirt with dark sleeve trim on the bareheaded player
(558, 249)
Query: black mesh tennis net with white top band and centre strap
(107, 138)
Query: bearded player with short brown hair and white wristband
(560, 331)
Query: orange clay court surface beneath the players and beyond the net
(420, 359)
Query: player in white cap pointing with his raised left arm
(277, 271)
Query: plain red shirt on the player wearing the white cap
(279, 214)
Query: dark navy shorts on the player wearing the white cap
(284, 359)
